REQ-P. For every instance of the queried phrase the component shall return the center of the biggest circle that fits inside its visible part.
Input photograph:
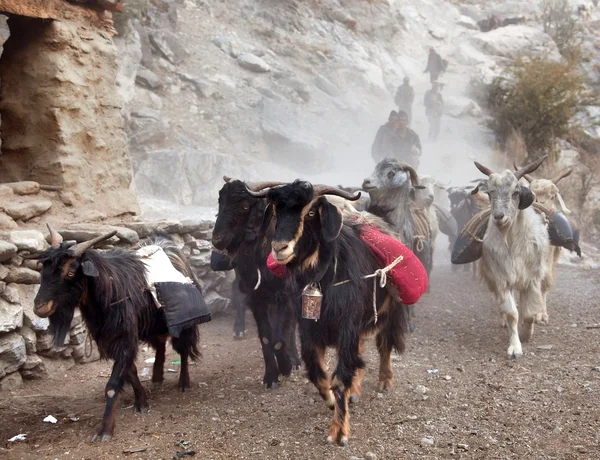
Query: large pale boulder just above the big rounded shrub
(513, 41)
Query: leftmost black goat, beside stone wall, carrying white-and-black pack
(110, 289)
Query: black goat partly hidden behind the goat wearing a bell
(239, 231)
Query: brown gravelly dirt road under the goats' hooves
(478, 404)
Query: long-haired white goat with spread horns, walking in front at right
(517, 256)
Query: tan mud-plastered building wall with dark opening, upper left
(61, 114)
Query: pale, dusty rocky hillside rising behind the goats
(285, 89)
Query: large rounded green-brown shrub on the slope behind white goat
(537, 98)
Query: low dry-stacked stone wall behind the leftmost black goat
(25, 342)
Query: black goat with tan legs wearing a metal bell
(316, 245)
